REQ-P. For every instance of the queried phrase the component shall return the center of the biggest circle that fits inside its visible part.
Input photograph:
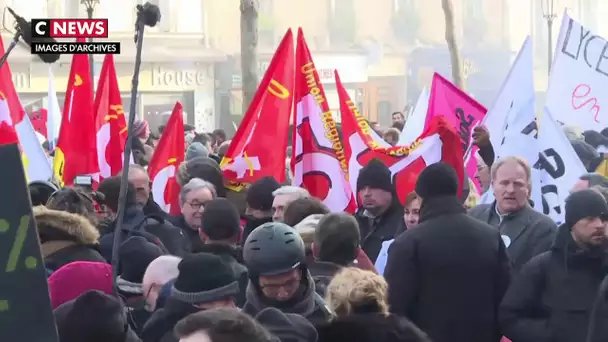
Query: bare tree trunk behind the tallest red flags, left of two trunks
(249, 49)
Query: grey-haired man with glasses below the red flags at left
(192, 199)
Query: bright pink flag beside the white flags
(460, 110)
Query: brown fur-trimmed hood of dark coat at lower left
(65, 238)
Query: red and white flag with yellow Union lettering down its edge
(318, 164)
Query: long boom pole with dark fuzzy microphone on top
(147, 15)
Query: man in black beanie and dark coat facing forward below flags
(380, 215)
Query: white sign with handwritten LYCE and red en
(576, 94)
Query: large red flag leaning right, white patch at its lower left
(259, 146)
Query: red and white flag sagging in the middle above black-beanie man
(438, 142)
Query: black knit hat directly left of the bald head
(136, 253)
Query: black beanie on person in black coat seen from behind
(436, 180)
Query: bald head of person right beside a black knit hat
(160, 271)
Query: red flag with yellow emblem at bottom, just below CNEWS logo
(76, 152)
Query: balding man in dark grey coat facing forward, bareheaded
(526, 232)
